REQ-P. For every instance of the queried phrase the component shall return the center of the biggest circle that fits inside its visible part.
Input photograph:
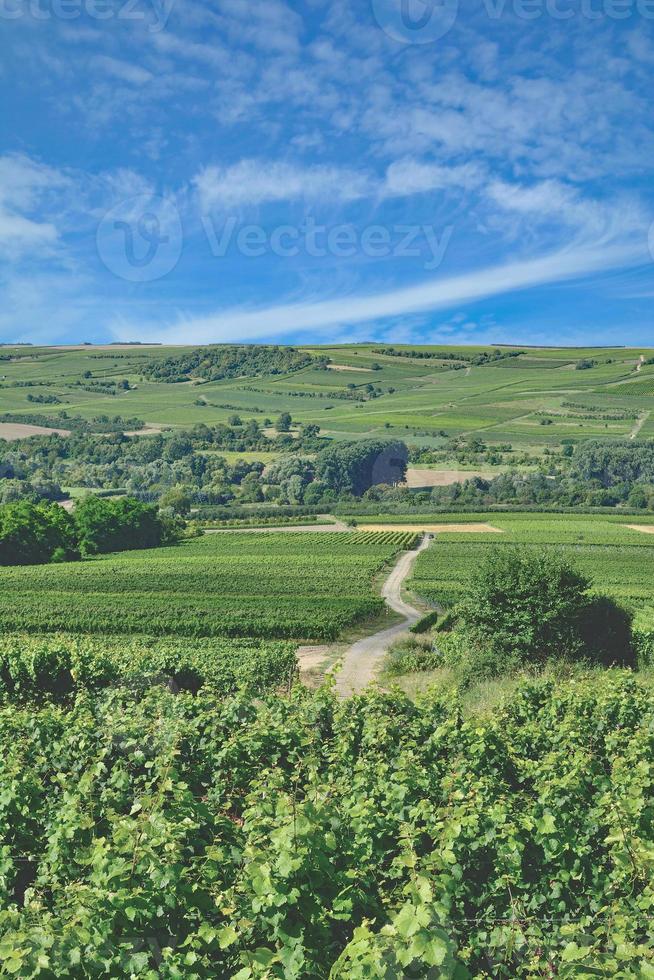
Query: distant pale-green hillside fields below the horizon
(532, 400)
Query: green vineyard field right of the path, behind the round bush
(618, 559)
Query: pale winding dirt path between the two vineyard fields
(363, 659)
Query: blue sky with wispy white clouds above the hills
(327, 171)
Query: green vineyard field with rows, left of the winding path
(308, 586)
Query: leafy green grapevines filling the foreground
(158, 834)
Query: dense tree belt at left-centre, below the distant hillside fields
(185, 468)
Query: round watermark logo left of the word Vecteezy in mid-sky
(140, 239)
